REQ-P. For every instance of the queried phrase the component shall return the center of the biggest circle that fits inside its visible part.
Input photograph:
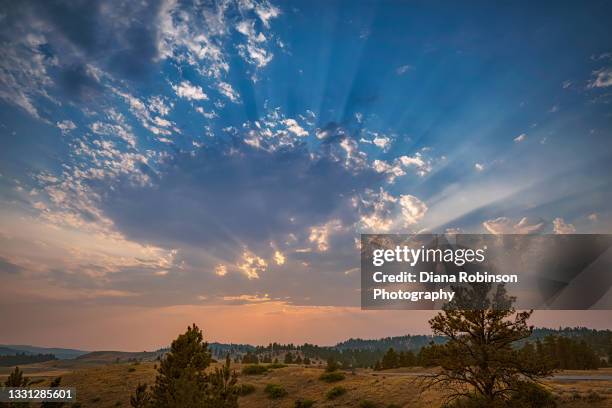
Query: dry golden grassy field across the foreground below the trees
(110, 385)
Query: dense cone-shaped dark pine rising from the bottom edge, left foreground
(182, 380)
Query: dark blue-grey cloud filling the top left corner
(120, 37)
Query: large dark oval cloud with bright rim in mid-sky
(247, 196)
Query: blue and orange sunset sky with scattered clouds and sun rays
(168, 162)
